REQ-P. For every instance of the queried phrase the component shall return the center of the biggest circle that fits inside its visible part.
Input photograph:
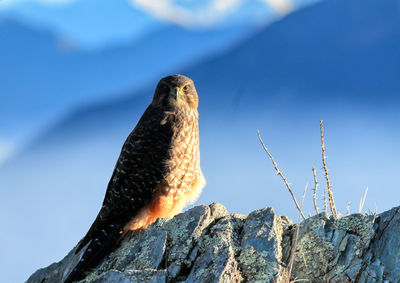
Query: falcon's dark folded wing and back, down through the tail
(136, 175)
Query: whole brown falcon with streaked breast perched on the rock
(156, 175)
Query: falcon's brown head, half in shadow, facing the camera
(176, 91)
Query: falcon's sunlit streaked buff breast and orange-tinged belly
(183, 179)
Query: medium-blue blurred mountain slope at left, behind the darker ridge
(45, 76)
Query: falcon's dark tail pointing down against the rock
(98, 247)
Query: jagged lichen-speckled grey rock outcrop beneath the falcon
(207, 244)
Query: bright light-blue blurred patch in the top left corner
(90, 24)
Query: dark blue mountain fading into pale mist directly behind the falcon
(337, 61)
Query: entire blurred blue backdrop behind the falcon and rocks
(75, 76)
